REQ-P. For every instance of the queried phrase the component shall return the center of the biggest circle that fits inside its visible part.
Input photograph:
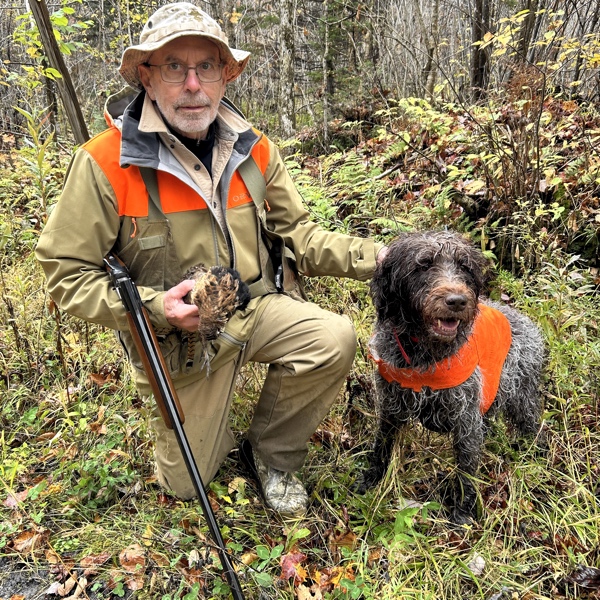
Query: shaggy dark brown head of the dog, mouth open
(429, 284)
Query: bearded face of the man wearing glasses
(188, 107)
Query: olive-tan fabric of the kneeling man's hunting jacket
(88, 222)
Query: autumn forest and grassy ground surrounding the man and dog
(480, 116)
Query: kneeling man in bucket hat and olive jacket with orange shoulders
(163, 188)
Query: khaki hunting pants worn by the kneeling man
(309, 351)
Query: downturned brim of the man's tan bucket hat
(236, 60)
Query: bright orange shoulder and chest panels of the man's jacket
(175, 195)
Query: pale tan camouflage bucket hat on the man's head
(177, 20)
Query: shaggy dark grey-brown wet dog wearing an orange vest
(446, 357)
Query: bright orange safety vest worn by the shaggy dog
(486, 347)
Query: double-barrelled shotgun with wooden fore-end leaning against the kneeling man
(166, 397)
